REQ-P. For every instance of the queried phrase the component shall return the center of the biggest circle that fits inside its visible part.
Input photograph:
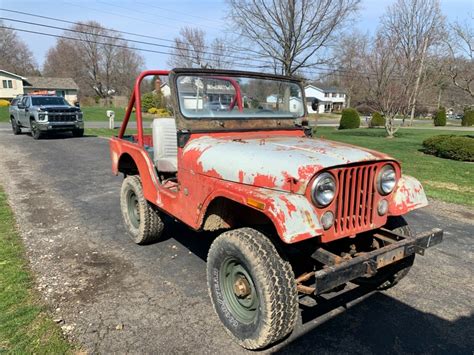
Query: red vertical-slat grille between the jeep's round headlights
(355, 199)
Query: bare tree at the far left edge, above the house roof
(15, 56)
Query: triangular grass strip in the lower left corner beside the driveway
(25, 327)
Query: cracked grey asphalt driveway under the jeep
(113, 296)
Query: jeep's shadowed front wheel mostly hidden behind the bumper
(391, 275)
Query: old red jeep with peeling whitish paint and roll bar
(298, 215)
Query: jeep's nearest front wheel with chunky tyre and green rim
(252, 289)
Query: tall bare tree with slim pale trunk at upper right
(415, 25)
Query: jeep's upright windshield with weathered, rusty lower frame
(237, 112)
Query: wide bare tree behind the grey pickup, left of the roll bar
(99, 60)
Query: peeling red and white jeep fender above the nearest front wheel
(293, 215)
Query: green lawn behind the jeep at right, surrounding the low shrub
(443, 179)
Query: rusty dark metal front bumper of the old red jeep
(338, 271)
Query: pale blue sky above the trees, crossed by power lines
(164, 18)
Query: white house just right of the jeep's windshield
(324, 99)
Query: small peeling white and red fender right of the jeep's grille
(408, 196)
